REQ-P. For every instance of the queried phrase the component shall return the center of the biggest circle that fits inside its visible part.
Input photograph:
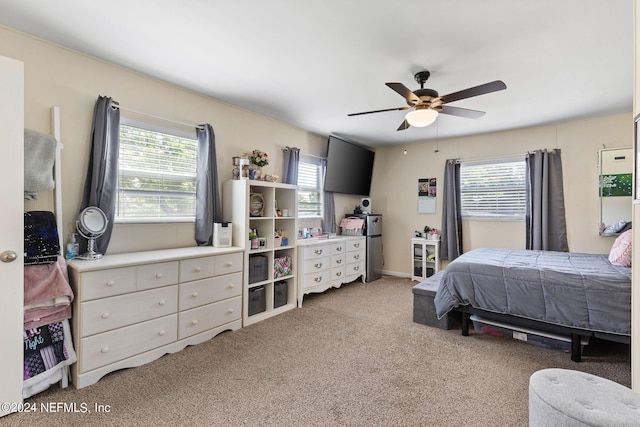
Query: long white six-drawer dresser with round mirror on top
(130, 309)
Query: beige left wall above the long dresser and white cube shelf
(59, 76)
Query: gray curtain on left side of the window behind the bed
(451, 233)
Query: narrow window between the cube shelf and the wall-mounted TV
(310, 172)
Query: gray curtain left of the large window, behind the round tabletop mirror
(100, 185)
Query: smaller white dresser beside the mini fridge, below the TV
(327, 263)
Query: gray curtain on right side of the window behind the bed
(545, 214)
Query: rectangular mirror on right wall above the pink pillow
(615, 189)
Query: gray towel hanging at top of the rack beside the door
(39, 158)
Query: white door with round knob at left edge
(11, 231)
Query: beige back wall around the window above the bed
(396, 178)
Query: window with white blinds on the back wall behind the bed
(493, 189)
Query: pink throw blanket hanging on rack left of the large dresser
(47, 294)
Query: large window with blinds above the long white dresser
(156, 174)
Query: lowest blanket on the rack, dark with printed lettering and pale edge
(47, 351)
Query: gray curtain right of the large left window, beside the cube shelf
(208, 208)
